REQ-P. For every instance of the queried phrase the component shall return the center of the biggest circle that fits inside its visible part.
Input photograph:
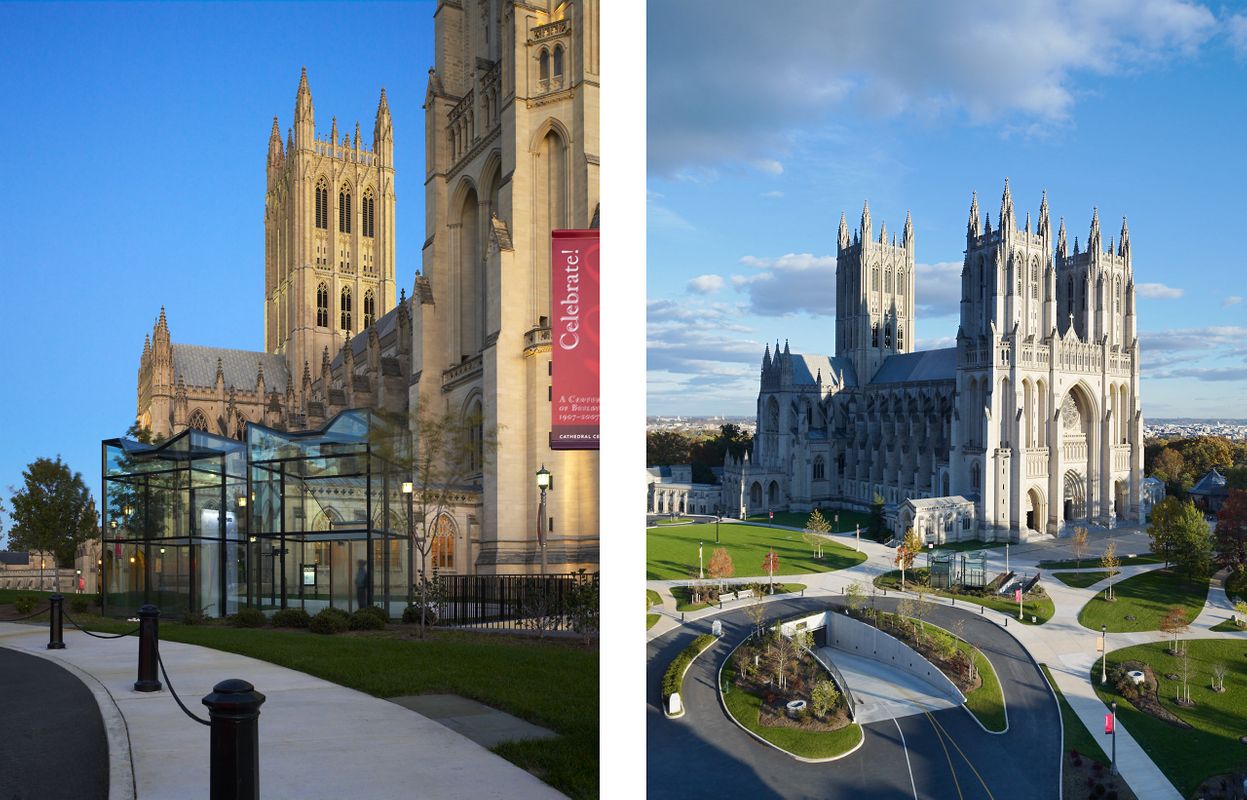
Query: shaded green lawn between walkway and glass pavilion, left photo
(551, 683)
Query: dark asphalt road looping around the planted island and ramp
(950, 756)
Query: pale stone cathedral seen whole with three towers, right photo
(1029, 426)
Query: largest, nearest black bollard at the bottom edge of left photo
(234, 710)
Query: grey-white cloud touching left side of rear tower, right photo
(790, 285)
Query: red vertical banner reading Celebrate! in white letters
(575, 341)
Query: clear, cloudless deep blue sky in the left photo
(135, 141)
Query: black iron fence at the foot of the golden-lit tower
(544, 602)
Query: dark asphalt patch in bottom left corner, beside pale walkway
(51, 721)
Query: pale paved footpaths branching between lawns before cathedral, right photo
(1066, 646)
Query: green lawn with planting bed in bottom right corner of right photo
(1211, 747)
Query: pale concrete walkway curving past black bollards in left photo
(319, 740)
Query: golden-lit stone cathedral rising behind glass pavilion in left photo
(512, 154)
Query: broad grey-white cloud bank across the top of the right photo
(745, 89)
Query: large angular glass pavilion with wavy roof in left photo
(301, 520)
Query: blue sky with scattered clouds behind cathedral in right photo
(764, 130)
